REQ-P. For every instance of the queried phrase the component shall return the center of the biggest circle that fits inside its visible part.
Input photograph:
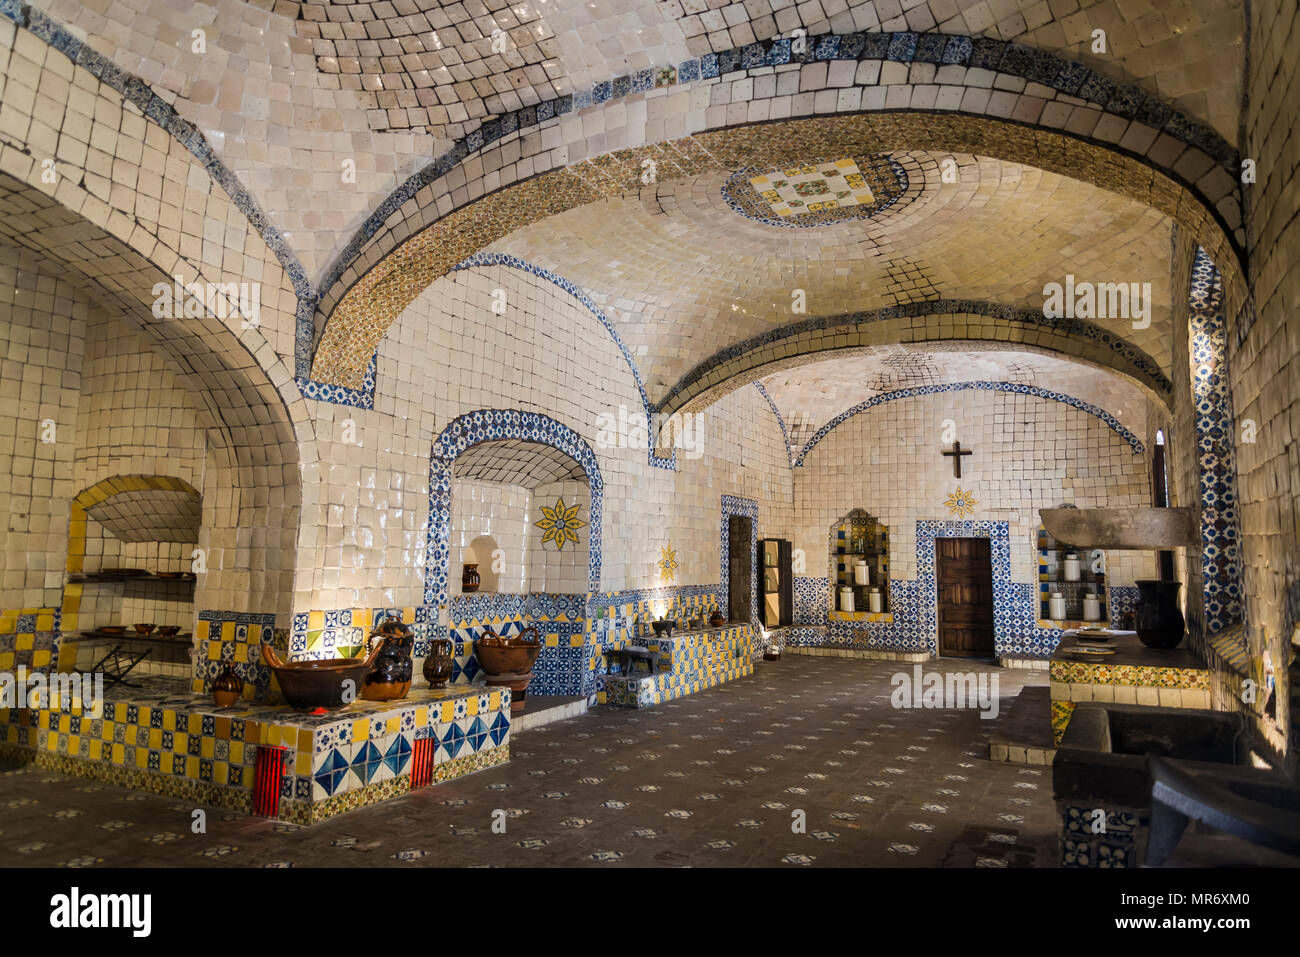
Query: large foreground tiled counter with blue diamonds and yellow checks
(159, 738)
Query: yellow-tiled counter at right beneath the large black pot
(1133, 675)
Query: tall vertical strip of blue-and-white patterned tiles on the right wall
(1221, 557)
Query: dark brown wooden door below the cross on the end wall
(965, 569)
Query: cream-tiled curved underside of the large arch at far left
(253, 487)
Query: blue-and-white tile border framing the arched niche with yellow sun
(489, 426)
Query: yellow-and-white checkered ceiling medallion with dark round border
(817, 194)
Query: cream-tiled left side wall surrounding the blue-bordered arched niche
(452, 354)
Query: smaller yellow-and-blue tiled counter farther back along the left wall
(690, 662)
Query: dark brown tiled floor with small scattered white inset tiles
(707, 781)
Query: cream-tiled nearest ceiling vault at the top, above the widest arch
(291, 94)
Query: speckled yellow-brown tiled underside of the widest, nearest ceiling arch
(371, 295)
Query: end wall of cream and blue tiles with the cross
(1029, 453)
